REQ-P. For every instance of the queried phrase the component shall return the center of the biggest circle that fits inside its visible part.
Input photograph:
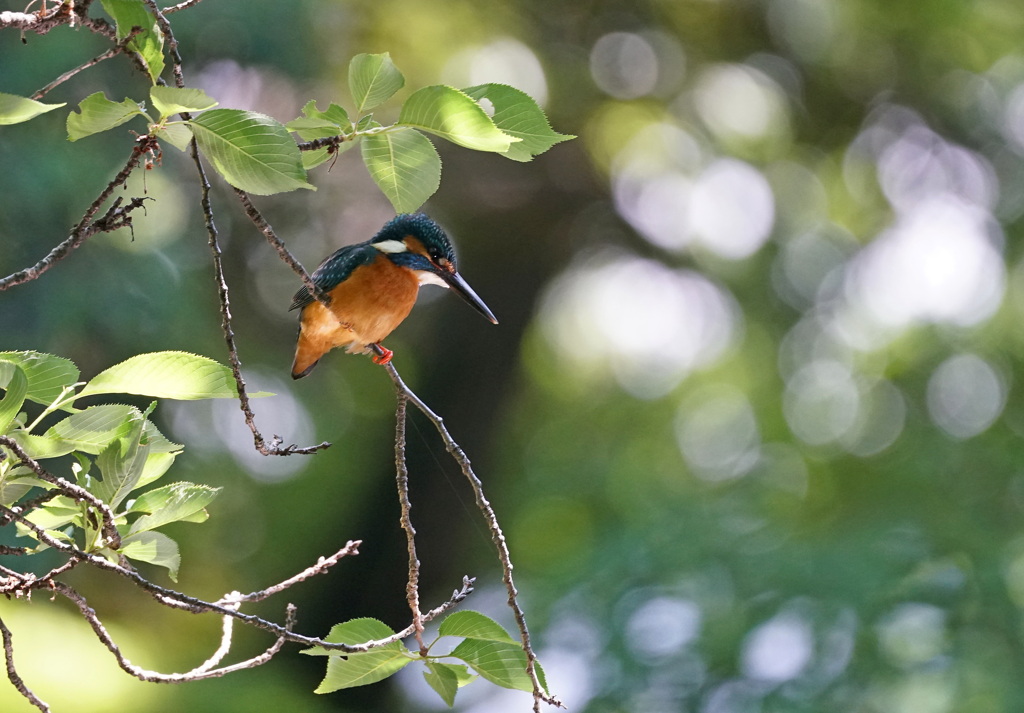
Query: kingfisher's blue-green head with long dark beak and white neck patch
(416, 242)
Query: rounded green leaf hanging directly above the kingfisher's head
(405, 165)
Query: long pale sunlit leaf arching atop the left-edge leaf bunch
(166, 375)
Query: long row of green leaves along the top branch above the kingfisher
(258, 154)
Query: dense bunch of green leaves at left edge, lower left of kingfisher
(114, 449)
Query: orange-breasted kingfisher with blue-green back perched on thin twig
(372, 287)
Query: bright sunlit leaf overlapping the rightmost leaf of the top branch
(453, 115)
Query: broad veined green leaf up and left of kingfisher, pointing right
(251, 151)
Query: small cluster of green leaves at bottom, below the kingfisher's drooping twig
(486, 651)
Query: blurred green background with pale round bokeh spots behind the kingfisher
(752, 418)
